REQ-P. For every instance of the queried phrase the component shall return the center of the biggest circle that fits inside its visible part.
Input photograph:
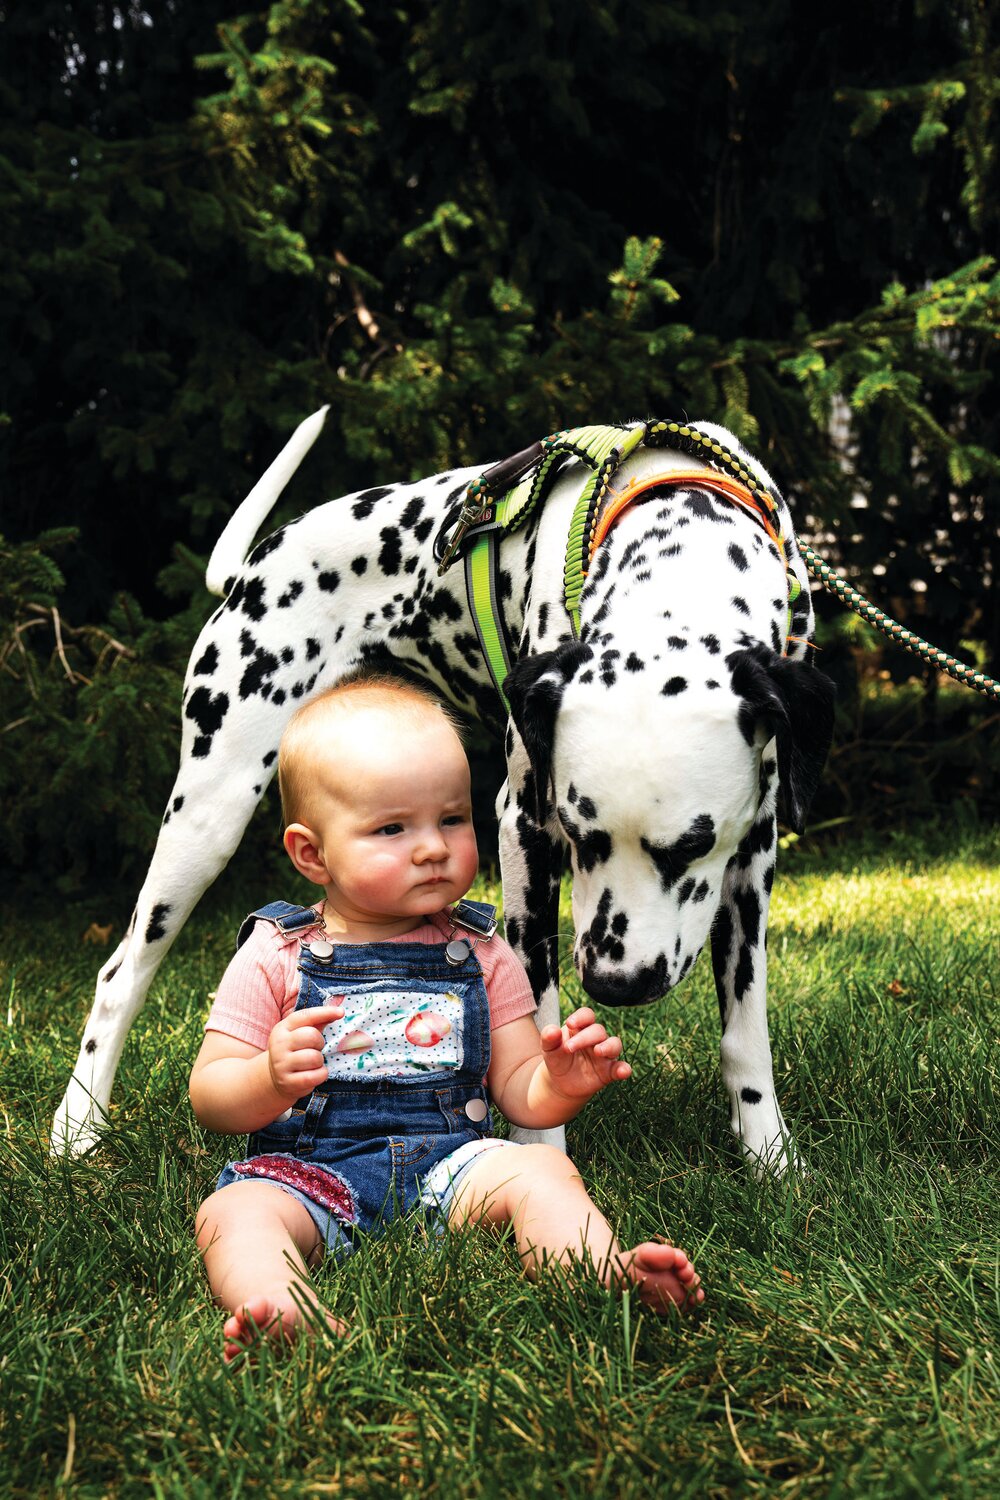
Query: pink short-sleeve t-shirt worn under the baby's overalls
(262, 985)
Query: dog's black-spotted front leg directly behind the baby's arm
(531, 868)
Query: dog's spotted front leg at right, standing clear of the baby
(740, 961)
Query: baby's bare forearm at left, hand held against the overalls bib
(236, 1088)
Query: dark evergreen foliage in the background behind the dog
(464, 226)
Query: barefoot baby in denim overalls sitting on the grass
(359, 1042)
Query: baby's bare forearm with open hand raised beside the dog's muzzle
(542, 1079)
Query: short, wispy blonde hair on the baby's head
(304, 731)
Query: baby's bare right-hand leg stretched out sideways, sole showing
(540, 1195)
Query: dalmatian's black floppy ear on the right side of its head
(795, 704)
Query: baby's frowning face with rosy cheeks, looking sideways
(394, 818)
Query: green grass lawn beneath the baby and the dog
(848, 1345)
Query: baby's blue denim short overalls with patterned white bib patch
(406, 1090)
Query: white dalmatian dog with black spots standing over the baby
(657, 745)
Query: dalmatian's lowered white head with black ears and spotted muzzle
(654, 791)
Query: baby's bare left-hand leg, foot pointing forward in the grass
(257, 1243)
